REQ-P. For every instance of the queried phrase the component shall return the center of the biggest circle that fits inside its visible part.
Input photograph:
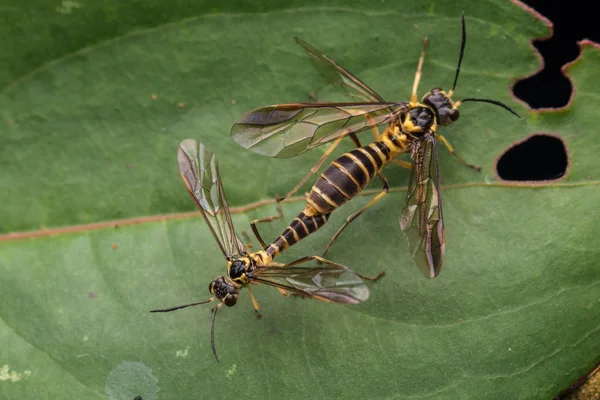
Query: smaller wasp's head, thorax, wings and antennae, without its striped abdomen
(328, 282)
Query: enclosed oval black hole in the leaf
(538, 158)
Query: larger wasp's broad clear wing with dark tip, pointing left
(286, 130)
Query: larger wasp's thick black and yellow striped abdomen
(345, 177)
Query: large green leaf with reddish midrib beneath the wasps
(514, 313)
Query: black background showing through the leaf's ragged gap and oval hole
(544, 157)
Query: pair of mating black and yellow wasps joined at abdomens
(287, 130)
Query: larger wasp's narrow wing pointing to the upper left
(353, 87)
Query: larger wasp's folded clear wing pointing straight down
(421, 219)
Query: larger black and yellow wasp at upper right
(287, 130)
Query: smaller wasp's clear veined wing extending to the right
(325, 283)
